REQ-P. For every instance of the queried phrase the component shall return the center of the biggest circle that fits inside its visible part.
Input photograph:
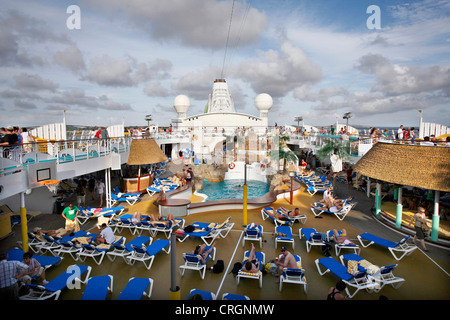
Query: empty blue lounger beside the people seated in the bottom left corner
(53, 288)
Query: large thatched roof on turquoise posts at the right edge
(409, 165)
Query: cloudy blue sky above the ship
(317, 59)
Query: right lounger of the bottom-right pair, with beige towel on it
(383, 275)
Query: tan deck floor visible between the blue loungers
(426, 274)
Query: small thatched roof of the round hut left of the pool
(145, 151)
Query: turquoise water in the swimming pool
(233, 189)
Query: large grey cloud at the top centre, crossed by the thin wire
(193, 23)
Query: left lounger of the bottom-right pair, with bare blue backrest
(359, 281)
